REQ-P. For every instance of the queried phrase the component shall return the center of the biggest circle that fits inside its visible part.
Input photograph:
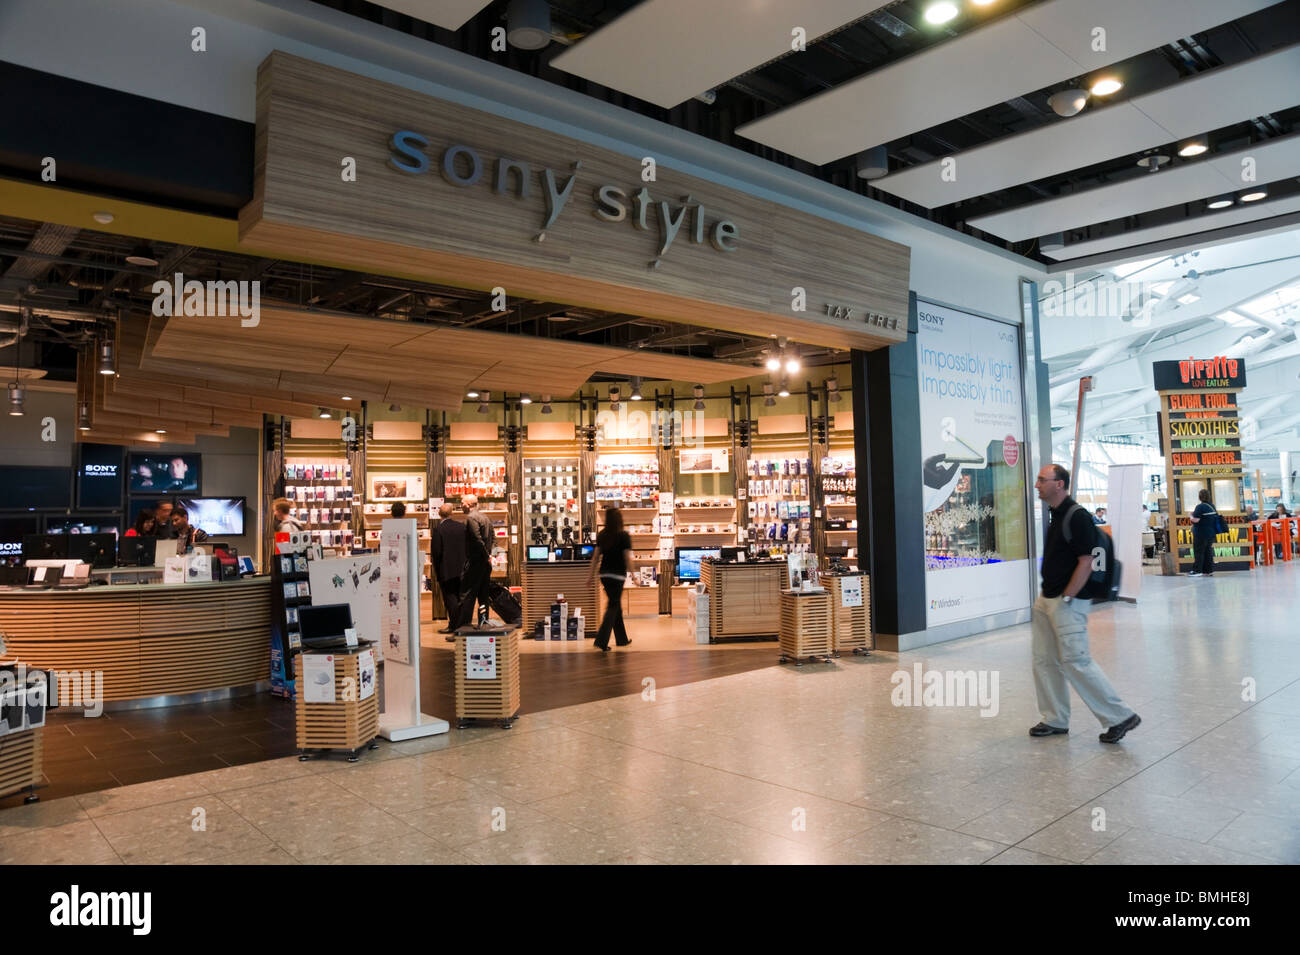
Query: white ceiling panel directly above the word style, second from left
(668, 51)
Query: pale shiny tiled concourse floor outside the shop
(791, 766)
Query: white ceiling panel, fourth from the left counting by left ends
(1208, 102)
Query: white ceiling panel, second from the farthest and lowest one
(1276, 159)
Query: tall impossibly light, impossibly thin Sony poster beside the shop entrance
(973, 466)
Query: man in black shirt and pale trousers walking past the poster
(1060, 623)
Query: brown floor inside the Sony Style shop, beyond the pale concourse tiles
(84, 756)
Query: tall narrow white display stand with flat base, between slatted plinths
(400, 635)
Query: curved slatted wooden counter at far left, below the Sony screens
(149, 640)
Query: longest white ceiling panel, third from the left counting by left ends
(1046, 45)
